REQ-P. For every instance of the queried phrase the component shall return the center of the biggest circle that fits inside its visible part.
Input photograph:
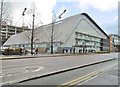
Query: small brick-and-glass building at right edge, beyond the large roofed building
(114, 43)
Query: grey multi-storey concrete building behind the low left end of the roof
(9, 30)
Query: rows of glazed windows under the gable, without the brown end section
(87, 42)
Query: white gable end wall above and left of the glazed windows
(84, 25)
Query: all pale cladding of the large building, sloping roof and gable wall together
(64, 31)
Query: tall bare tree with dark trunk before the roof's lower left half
(35, 22)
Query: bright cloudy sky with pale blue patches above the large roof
(104, 12)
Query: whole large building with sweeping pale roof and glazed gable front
(79, 33)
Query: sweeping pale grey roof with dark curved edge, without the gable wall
(62, 30)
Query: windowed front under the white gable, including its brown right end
(90, 43)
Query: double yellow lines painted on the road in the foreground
(80, 79)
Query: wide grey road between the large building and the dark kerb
(17, 70)
